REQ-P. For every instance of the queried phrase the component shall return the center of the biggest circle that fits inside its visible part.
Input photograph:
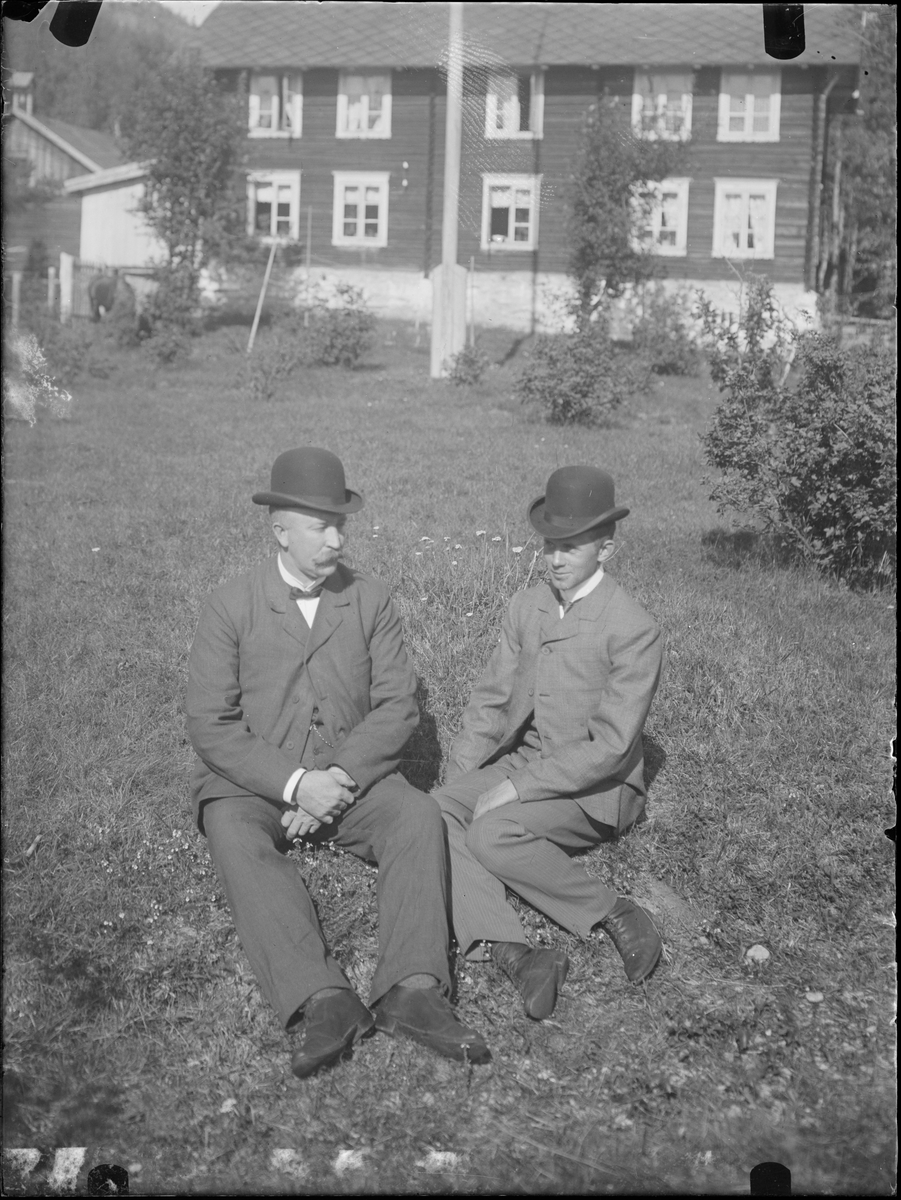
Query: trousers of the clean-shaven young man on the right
(526, 848)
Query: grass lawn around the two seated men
(133, 1025)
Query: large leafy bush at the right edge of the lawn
(815, 463)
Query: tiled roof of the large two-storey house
(364, 33)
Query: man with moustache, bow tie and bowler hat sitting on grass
(301, 701)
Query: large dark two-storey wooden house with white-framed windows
(346, 118)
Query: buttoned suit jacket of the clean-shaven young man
(568, 700)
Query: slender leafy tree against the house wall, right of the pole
(611, 202)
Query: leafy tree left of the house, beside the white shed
(191, 135)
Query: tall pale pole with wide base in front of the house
(449, 281)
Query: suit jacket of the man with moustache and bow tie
(259, 675)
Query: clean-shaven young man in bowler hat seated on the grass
(549, 761)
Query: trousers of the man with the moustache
(394, 826)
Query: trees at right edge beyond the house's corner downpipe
(860, 271)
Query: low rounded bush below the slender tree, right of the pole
(579, 379)
